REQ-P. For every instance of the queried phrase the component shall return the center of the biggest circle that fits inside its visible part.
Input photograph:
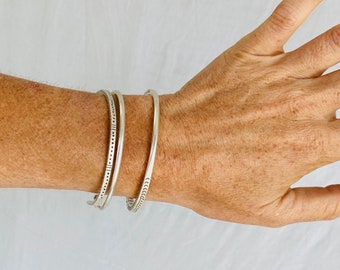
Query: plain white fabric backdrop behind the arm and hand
(132, 46)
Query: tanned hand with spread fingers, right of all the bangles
(252, 123)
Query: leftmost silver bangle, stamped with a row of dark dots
(97, 200)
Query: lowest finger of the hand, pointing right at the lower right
(310, 204)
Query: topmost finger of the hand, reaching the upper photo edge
(269, 37)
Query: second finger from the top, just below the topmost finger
(315, 57)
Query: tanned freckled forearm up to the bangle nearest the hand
(57, 138)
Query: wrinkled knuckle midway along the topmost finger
(282, 17)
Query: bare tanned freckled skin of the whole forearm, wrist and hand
(232, 141)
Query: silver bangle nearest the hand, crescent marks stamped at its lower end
(135, 204)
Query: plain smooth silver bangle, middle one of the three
(119, 152)
